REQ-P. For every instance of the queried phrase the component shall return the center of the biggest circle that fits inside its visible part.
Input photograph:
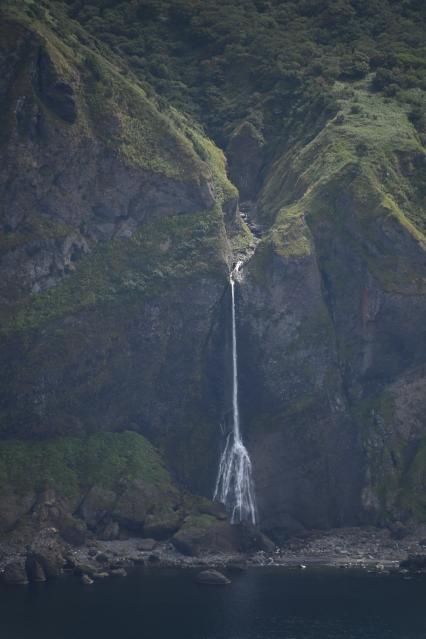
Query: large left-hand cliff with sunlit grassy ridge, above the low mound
(115, 256)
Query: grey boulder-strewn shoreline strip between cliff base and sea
(371, 549)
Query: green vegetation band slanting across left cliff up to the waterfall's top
(153, 261)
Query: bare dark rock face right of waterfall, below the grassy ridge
(331, 349)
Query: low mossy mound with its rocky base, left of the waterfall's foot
(97, 479)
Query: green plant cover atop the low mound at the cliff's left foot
(72, 464)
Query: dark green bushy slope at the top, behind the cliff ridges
(262, 61)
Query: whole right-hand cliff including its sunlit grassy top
(332, 321)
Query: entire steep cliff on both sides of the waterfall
(118, 229)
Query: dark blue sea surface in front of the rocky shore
(259, 604)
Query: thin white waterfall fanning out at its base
(234, 484)
